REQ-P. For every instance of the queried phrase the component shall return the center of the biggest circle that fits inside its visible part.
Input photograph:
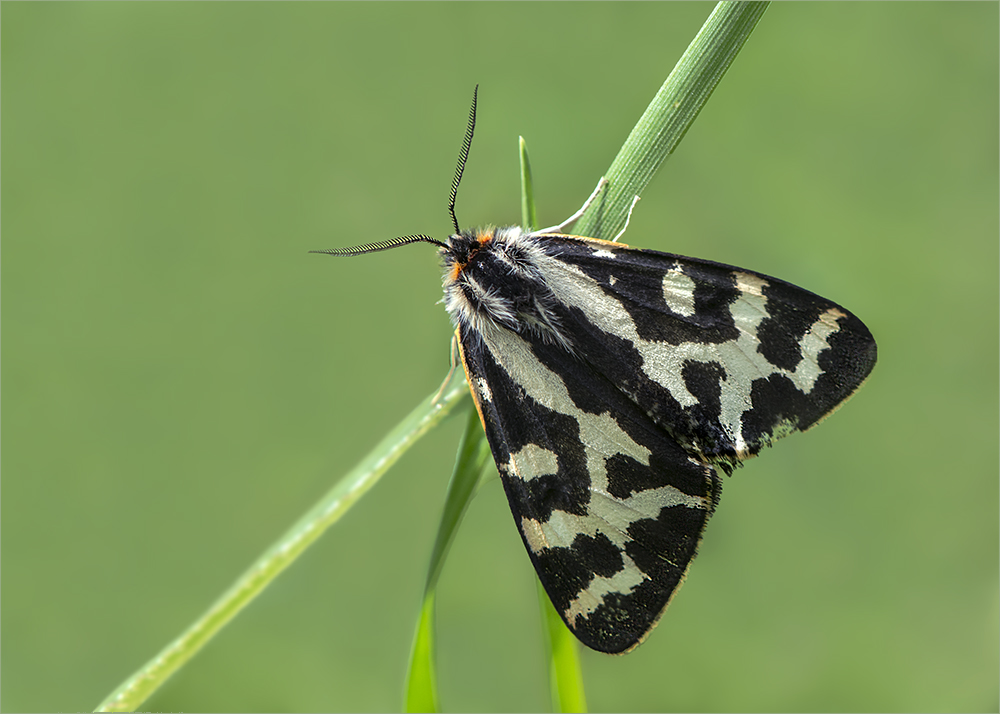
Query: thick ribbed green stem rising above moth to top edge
(670, 114)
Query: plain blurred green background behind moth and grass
(181, 380)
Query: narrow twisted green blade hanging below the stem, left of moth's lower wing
(473, 456)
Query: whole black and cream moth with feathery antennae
(613, 383)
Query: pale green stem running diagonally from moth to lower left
(137, 688)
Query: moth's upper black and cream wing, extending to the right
(725, 359)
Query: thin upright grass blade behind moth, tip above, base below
(565, 680)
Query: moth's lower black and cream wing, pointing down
(610, 508)
